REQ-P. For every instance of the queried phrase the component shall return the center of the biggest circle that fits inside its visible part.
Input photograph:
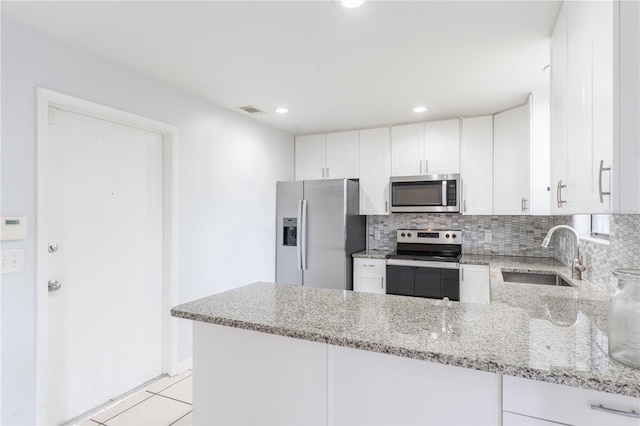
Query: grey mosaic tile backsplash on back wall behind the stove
(510, 235)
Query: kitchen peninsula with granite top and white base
(272, 353)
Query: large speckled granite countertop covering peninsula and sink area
(547, 333)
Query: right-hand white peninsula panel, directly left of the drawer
(377, 389)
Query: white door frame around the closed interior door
(45, 99)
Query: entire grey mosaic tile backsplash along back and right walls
(522, 236)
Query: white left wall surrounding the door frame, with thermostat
(229, 164)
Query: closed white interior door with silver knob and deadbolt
(103, 209)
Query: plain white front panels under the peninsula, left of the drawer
(248, 377)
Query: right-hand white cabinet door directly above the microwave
(442, 147)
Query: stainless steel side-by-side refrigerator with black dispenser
(319, 228)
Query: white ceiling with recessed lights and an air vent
(334, 68)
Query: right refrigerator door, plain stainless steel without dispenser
(326, 259)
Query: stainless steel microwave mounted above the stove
(425, 194)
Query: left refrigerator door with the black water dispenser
(287, 202)
